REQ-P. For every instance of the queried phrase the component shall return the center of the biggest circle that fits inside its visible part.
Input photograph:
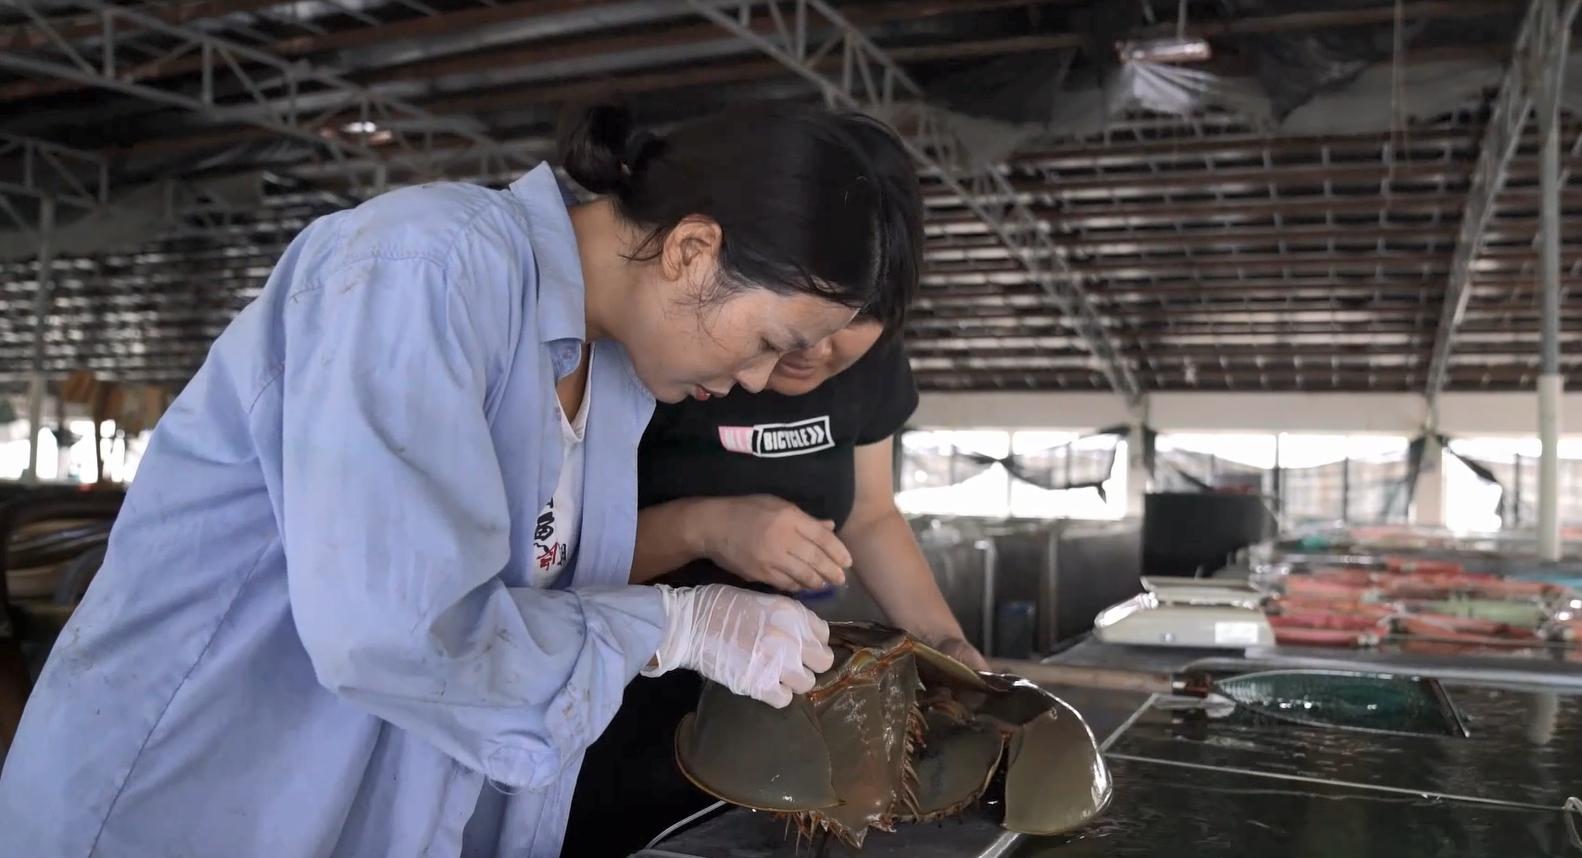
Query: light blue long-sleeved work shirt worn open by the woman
(314, 634)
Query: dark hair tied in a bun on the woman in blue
(808, 200)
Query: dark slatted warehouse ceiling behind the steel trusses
(1279, 216)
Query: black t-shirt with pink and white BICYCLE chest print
(793, 447)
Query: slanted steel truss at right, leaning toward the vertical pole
(1535, 45)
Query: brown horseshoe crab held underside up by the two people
(896, 732)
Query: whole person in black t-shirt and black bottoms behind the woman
(785, 490)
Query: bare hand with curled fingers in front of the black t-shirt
(771, 541)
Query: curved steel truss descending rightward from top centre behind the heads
(871, 82)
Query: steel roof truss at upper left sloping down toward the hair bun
(268, 89)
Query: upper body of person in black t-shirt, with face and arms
(792, 487)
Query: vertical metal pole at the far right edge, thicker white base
(1550, 381)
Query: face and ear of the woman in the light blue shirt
(686, 341)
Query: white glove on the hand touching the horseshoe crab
(755, 645)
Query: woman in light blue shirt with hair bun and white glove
(327, 625)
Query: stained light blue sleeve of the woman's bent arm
(396, 531)
